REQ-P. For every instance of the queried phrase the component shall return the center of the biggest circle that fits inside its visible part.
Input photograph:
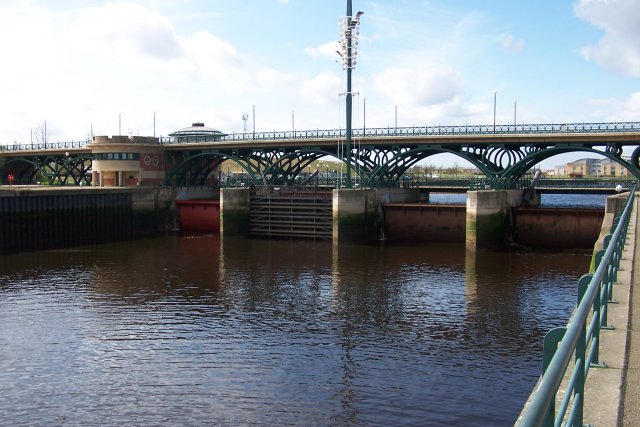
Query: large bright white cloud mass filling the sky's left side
(85, 66)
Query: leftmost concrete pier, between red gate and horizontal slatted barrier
(234, 212)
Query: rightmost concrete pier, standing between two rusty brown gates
(489, 218)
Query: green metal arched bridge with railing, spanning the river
(380, 157)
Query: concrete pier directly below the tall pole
(357, 216)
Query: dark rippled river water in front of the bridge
(195, 331)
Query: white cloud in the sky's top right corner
(619, 47)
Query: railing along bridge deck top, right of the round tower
(522, 129)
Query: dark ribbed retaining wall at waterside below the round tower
(51, 217)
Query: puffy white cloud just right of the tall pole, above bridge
(424, 84)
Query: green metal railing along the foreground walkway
(580, 339)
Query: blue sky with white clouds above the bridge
(82, 65)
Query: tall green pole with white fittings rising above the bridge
(349, 46)
